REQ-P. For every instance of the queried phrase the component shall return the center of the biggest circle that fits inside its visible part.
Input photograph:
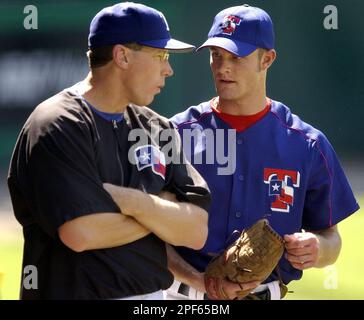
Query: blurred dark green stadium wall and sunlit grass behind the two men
(318, 73)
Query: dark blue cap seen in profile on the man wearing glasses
(130, 22)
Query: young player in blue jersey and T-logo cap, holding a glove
(284, 170)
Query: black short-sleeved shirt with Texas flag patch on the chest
(64, 153)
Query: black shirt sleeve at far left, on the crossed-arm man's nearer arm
(57, 173)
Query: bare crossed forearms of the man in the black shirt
(142, 214)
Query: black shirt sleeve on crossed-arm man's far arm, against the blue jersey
(186, 183)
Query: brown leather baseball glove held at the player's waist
(252, 257)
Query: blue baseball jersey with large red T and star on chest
(285, 171)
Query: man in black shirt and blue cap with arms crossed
(96, 206)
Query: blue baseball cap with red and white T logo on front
(241, 30)
